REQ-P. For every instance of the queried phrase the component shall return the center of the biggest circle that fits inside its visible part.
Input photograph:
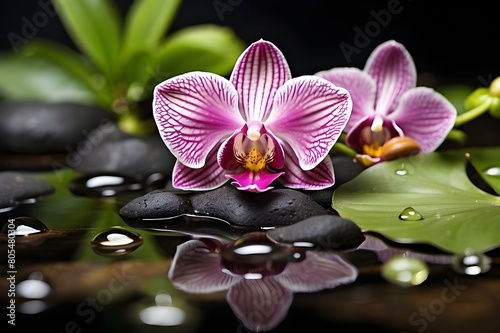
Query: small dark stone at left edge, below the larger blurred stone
(17, 189)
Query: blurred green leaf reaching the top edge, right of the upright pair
(146, 24)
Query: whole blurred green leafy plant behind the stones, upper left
(119, 59)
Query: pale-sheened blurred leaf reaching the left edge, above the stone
(41, 78)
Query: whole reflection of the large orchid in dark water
(260, 277)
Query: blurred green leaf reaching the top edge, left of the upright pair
(94, 26)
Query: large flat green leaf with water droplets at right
(456, 215)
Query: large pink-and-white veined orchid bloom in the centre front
(255, 127)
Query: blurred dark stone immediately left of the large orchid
(130, 155)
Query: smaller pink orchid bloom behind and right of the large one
(388, 104)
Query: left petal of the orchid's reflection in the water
(196, 269)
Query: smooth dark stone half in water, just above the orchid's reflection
(324, 231)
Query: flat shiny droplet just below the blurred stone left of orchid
(103, 185)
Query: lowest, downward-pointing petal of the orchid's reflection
(260, 304)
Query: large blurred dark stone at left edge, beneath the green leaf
(48, 127)
